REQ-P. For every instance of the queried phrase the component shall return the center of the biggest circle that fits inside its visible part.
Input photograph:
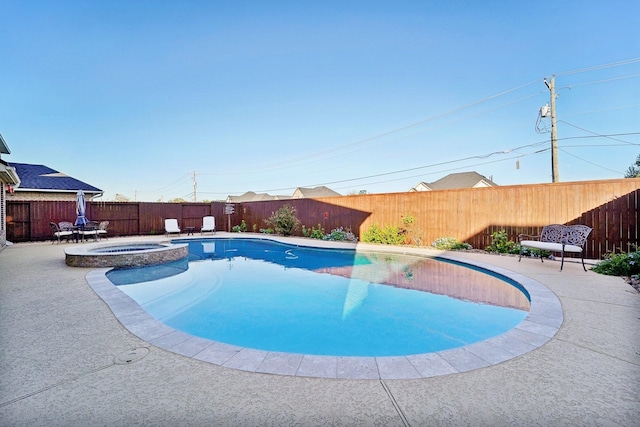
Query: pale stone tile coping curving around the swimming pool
(541, 324)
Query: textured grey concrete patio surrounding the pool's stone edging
(61, 351)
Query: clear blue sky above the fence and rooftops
(158, 100)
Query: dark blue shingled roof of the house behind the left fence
(43, 178)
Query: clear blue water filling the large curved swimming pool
(269, 296)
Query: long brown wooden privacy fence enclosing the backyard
(610, 207)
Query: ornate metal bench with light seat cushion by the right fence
(558, 238)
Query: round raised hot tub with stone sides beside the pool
(128, 254)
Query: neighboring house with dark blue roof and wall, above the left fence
(39, 182)
